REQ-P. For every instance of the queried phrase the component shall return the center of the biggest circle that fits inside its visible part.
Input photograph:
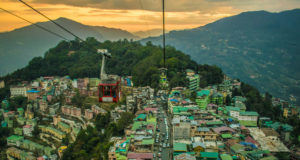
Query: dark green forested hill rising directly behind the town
(80, 59)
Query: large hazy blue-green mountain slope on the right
(260, 48)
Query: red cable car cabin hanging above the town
(109, 91)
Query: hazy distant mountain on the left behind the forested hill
(19, 46)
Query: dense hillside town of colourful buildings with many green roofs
(185, 123)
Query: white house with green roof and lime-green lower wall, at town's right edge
(248, 119)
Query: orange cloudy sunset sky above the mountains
(136, 15)
